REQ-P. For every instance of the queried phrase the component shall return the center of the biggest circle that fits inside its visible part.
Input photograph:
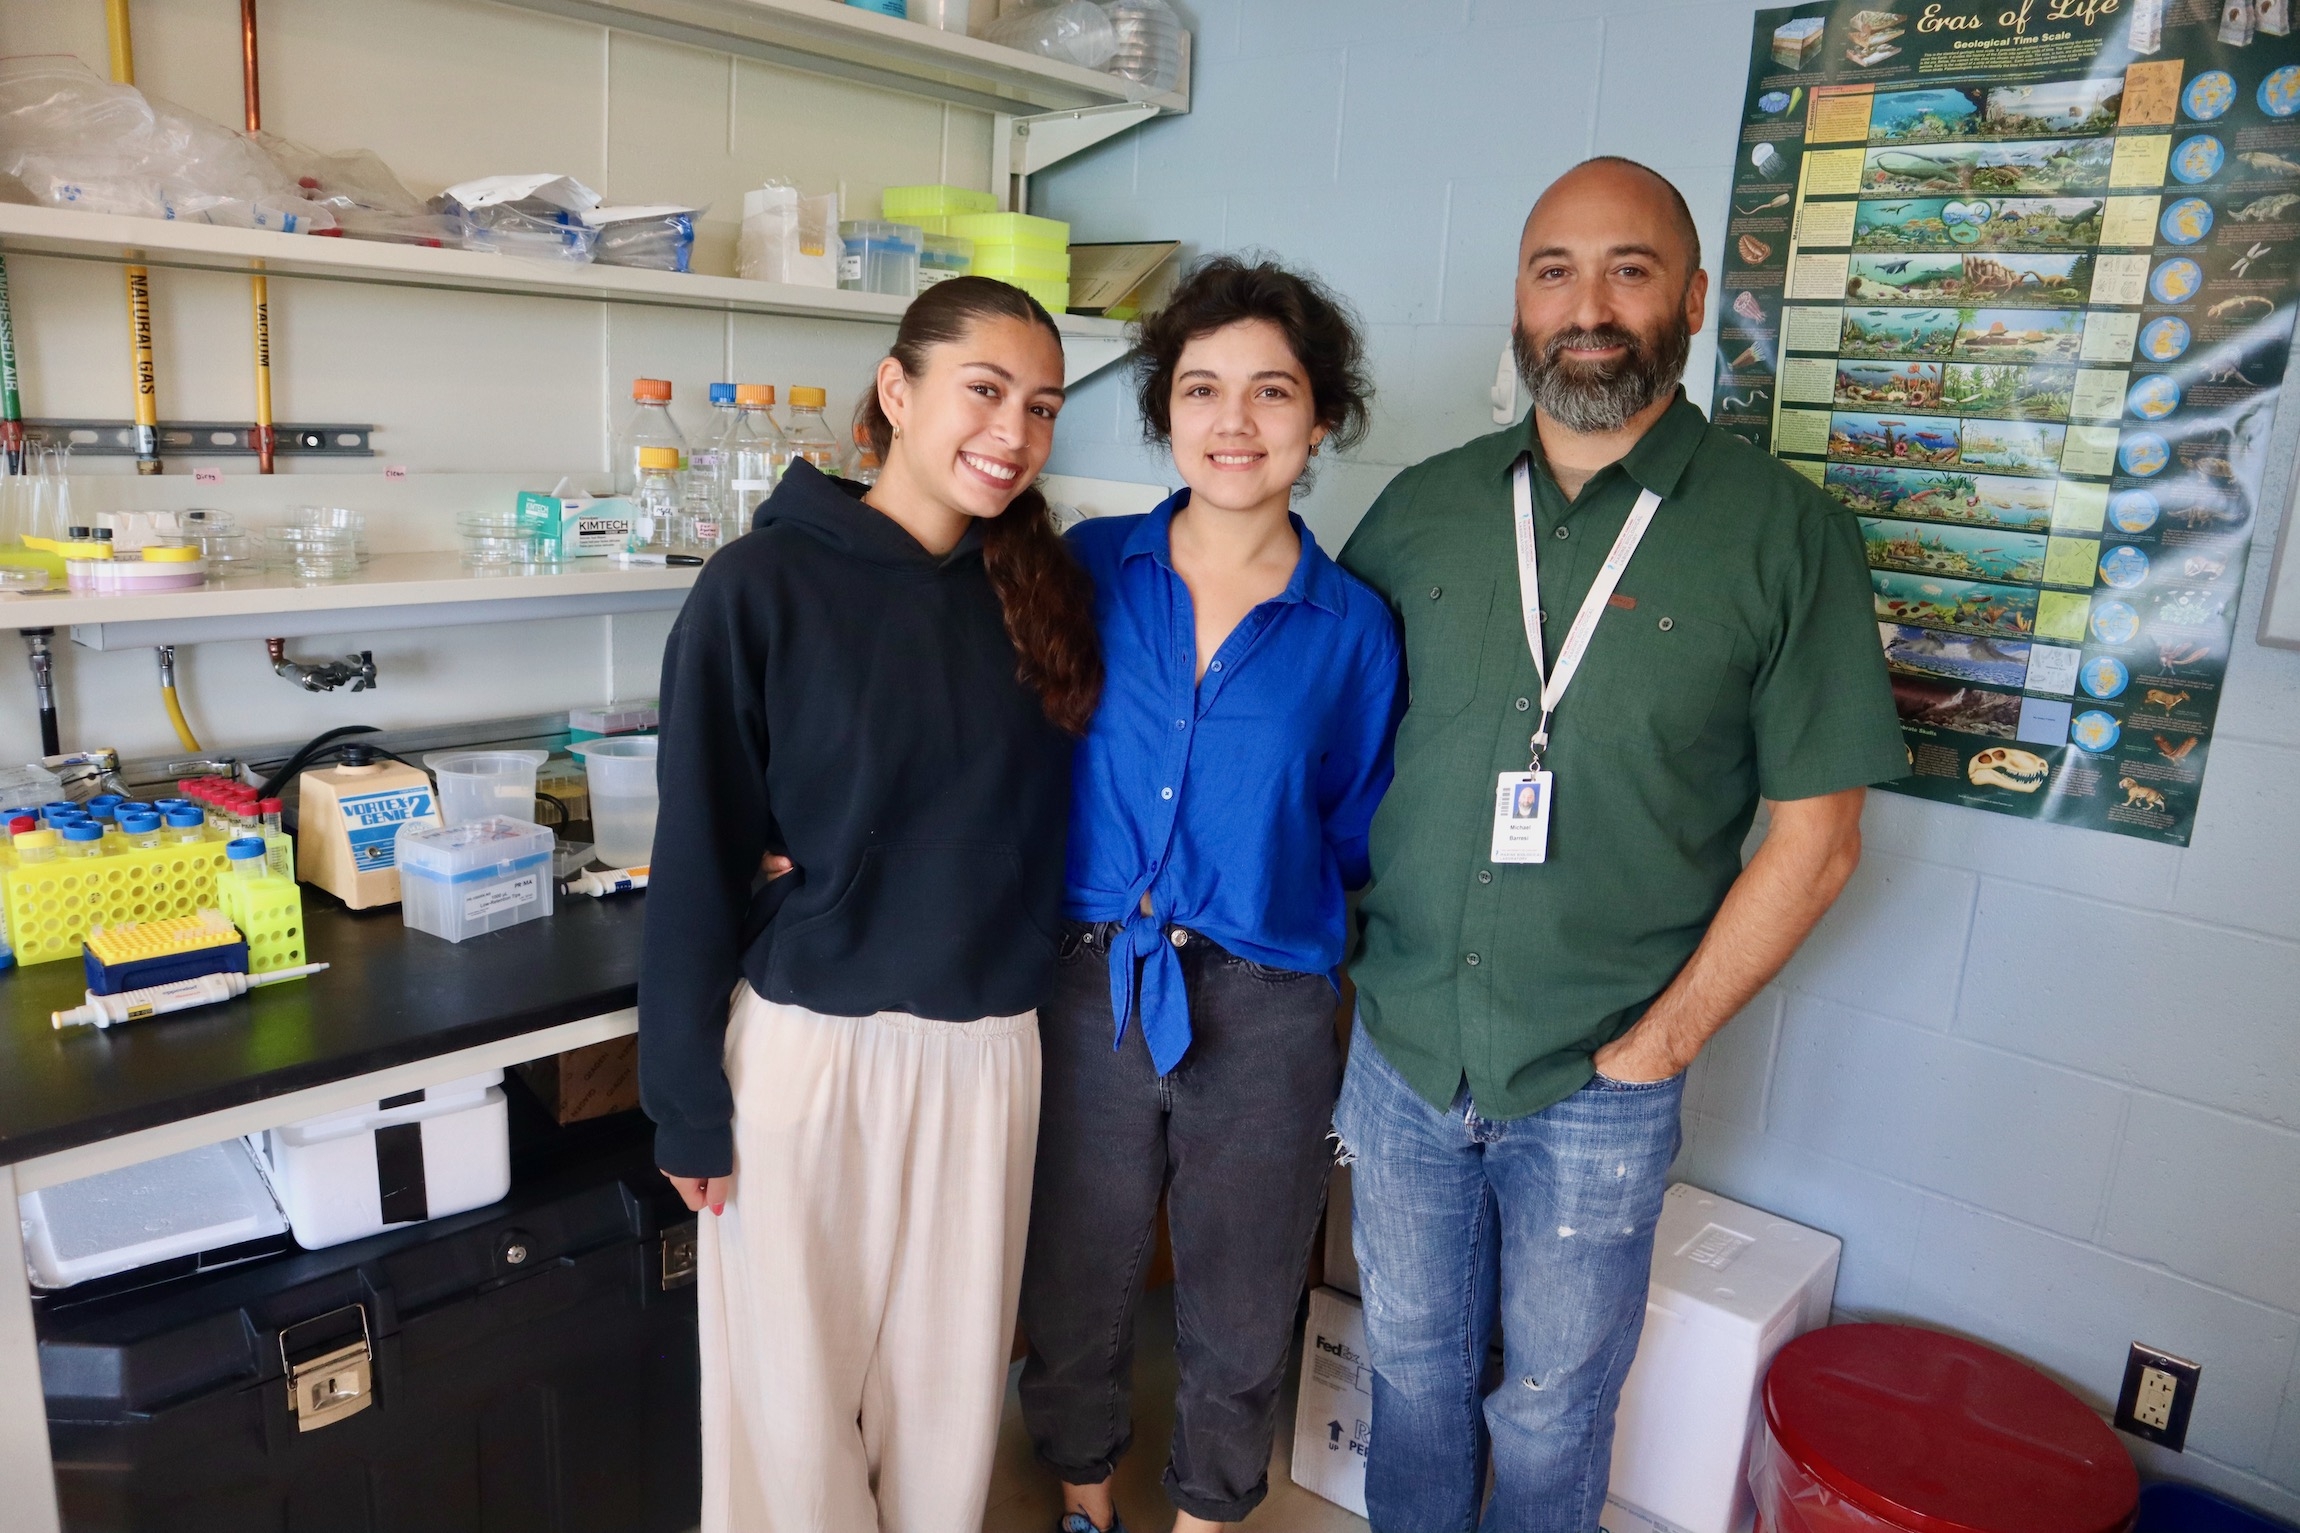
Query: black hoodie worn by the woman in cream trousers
(838, 693)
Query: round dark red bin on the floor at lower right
(1903, 1431)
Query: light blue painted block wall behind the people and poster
(2044, 1084)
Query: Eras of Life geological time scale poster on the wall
(2016, 282)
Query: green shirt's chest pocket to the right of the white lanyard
(1648, 681)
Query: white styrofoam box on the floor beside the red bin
(1733, 1286)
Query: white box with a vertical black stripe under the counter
(390, 1164)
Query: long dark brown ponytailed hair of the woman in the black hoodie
(1043, 594)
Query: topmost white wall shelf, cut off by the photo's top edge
(857, 45)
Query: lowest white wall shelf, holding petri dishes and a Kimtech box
(394, 592)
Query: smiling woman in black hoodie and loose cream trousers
(868, 716)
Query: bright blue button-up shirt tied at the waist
(1239, 803)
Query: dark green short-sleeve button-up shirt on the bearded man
(1738, 661)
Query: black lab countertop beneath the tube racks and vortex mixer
(392, 996)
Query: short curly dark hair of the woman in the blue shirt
(1227, 291)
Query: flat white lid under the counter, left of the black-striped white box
(171, 1208)
